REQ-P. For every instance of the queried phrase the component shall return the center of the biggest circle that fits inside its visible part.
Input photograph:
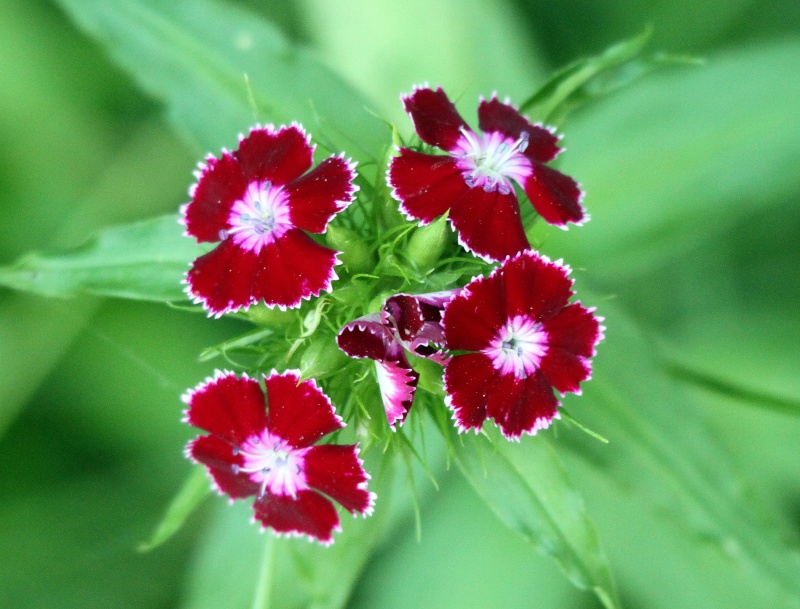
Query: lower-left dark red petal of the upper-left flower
(222, 279)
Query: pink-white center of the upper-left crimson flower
(260, 217)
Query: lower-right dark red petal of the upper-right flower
(555, 196)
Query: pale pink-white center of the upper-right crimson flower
(491, 160)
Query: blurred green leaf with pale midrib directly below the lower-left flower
(299, 573)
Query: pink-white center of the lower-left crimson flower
(274, 464)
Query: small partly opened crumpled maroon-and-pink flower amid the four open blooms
(405, 322)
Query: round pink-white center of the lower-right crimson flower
(518, 348)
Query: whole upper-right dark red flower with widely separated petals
(474, 182)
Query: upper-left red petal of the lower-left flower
(227, 406)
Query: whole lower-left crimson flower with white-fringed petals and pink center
(268, 452)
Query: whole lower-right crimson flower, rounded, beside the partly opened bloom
(523, 340)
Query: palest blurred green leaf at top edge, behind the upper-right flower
(470, 48)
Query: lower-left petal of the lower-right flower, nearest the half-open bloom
(468, 380)
